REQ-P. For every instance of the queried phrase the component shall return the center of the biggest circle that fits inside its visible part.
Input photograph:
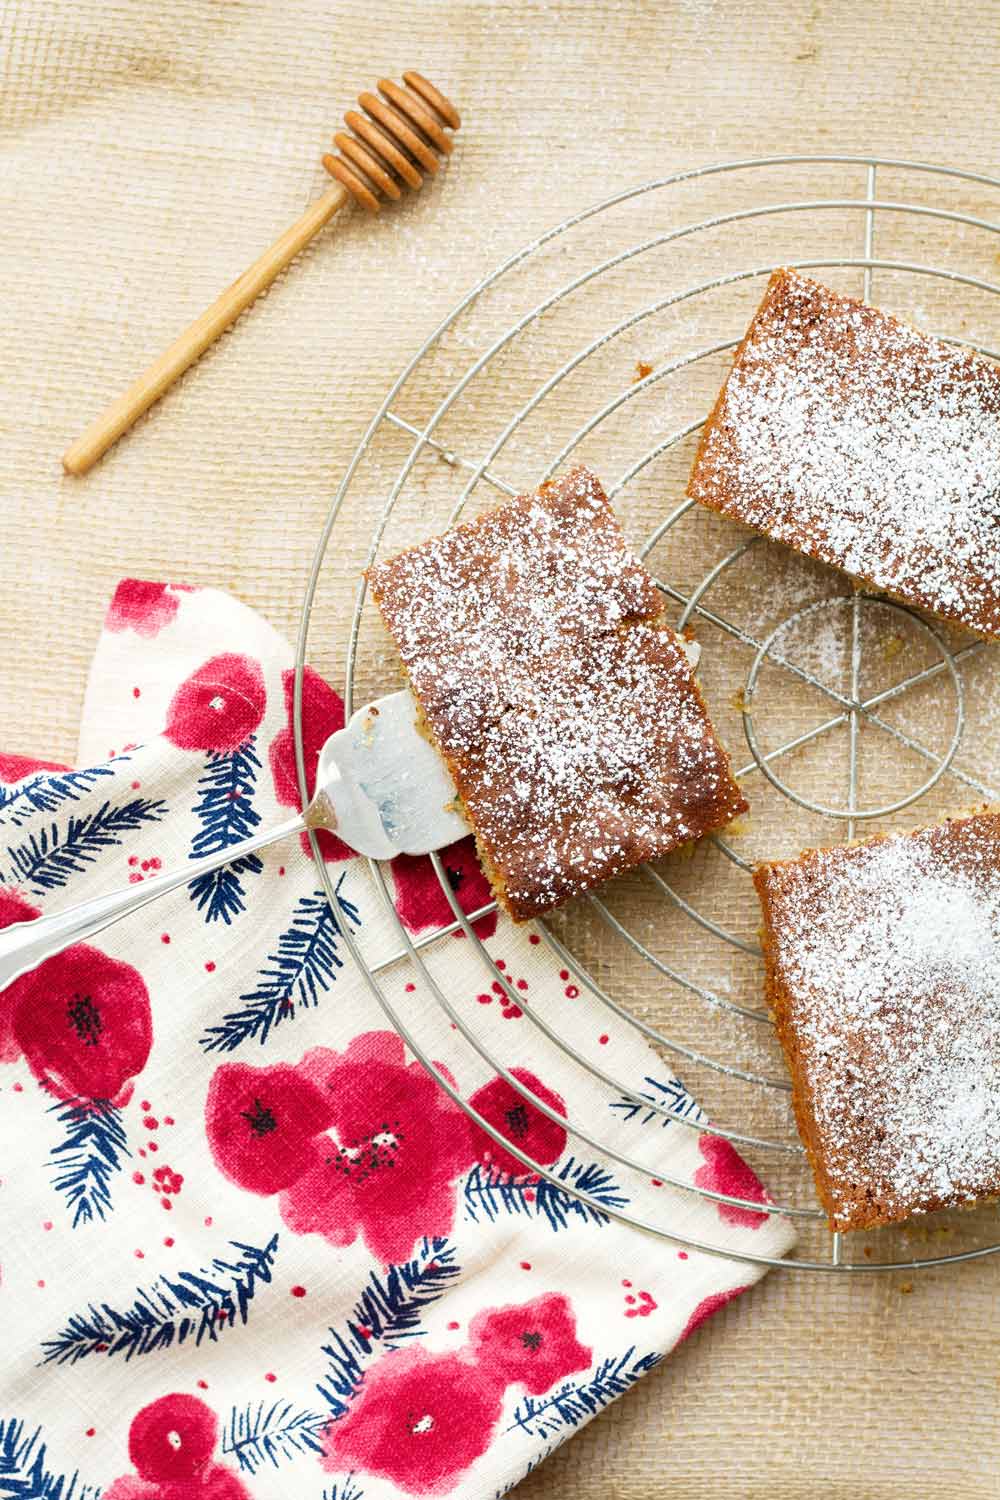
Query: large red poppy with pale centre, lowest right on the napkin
(419, 1423)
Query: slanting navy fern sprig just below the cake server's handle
(295, 977)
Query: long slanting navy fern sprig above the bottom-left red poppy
(194, 1304)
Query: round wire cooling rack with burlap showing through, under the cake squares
(870, 700)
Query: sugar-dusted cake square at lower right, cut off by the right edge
(884, 979)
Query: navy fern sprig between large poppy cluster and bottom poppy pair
(388, 1313)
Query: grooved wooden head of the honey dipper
(397, 142)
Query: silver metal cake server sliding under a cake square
(380, 785)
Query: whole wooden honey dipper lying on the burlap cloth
(394, 145)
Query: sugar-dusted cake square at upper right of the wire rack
(860, 442)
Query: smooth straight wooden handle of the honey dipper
(205, 331)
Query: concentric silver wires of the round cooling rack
(437, 437)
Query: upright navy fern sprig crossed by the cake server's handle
(227, 815)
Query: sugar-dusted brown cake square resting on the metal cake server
(564, 706)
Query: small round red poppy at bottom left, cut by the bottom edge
(172, 1444)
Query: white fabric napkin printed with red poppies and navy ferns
(253, 1249)
